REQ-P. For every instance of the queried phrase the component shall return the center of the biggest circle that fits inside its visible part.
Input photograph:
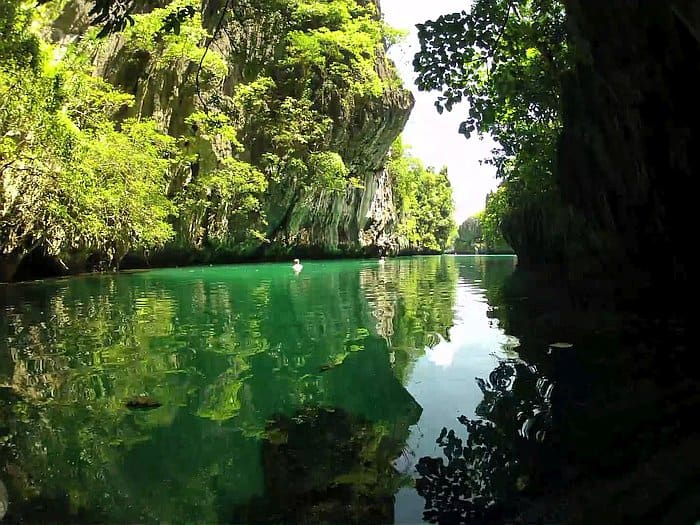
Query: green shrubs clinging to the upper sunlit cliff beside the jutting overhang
(326, 53)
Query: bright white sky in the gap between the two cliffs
(434, 138)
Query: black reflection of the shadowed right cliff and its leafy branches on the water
(601, 433)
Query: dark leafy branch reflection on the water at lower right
(489, 471)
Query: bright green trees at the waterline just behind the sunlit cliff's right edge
(423, 199)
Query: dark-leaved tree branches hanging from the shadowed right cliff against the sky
(506, 59)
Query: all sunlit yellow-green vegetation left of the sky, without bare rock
(85, 176)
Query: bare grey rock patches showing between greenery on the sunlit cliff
(354, 221)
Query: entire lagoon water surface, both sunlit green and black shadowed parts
(351, 392)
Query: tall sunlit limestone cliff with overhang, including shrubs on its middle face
(298, 215)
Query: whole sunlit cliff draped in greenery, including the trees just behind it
(176, 134)
